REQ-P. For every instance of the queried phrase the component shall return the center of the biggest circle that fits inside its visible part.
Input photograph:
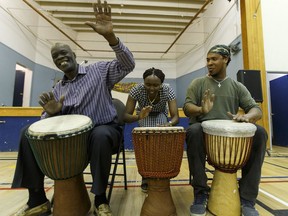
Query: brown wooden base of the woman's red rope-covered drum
(159, 200)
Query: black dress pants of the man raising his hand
(103, 141)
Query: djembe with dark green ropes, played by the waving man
(60, 147)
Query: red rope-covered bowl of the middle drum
(158, 155)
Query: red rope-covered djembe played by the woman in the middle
(158, 153)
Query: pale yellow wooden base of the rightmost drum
(224, 197)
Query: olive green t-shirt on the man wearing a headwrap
(228, 98)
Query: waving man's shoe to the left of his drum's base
(41, 210)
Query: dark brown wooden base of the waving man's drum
(71, 197)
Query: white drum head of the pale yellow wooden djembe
(228, 128)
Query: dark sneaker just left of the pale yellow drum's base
(198, 208)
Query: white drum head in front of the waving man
(60, 126)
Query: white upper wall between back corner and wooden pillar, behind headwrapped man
(222, 18)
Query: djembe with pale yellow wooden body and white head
(228, 145)
